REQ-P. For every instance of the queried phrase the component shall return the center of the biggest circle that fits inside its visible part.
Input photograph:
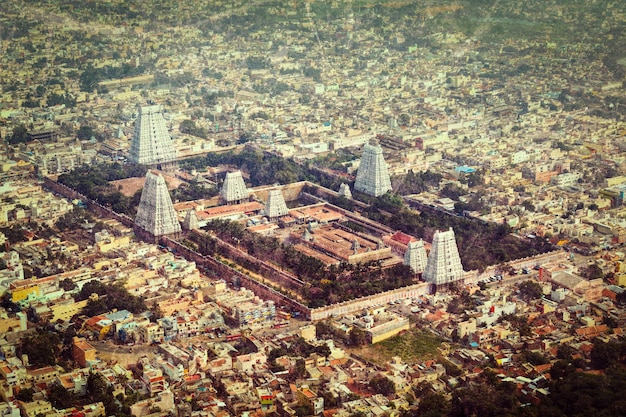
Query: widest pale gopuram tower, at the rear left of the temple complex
(151, 144)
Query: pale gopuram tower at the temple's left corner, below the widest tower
(156, 216)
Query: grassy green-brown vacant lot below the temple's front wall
(414, 346)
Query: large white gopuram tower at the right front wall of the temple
(444, 263)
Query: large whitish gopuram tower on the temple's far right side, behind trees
(372, 177)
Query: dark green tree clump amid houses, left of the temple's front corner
(110, 296)
